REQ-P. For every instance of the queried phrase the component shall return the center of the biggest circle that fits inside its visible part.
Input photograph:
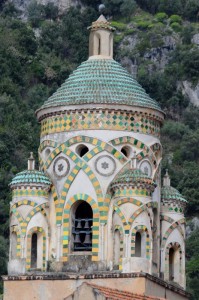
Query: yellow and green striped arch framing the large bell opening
(66, 224)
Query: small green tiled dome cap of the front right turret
(132, 176)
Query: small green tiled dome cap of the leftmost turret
(30, 177)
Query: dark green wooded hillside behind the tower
(38, 55)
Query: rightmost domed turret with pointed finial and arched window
(173, 233)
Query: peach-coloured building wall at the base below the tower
(59, 287)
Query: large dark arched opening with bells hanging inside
(82, 222)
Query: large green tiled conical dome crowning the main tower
(101, 81)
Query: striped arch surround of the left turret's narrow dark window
(28, 255)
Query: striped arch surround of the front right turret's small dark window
(141, 229)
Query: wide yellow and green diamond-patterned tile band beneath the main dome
(105, 120)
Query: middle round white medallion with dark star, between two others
(105, 165)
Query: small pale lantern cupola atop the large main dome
(101, 38)
